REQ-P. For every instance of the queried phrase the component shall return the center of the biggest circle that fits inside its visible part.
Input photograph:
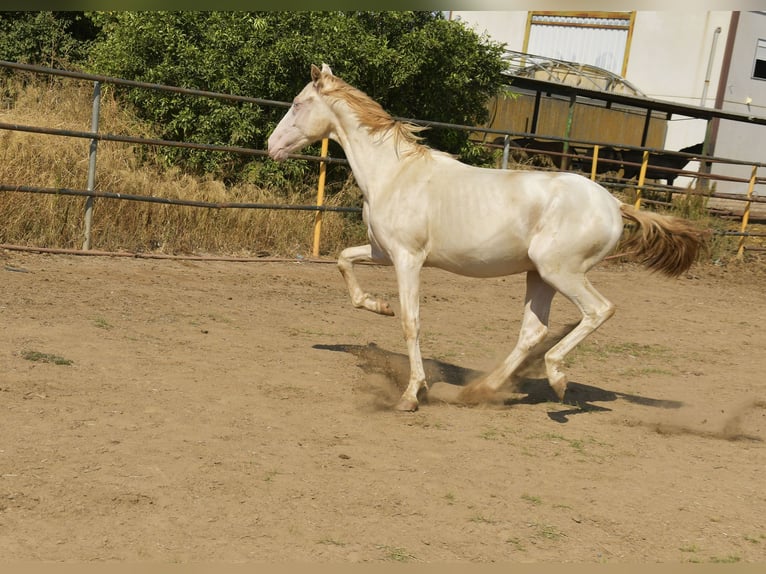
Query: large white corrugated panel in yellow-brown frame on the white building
(599, 38)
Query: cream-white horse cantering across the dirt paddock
(422, 207)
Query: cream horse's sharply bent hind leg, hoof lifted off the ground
(595, 309)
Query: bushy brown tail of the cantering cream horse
(662, 243)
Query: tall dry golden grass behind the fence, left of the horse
(58, 221)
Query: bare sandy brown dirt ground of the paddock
(188, 411)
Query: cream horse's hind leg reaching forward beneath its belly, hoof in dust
(534, 328)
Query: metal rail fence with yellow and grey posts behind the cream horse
(569, 153)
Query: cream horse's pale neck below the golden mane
(374, 157)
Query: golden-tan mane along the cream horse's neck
(372, 115)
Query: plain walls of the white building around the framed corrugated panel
(670, 53)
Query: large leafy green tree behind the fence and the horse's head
(416, 64)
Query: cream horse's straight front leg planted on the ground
(408, 278)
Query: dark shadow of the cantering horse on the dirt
(395, 367)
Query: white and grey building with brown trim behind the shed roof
(714, 59)
